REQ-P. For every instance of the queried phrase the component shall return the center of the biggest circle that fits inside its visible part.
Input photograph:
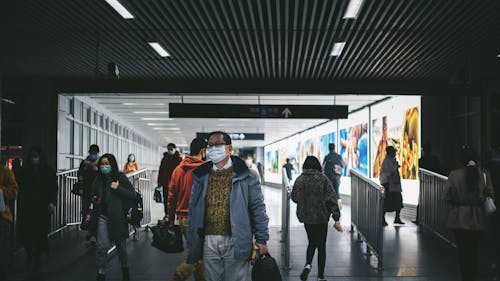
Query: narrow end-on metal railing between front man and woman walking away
(286, 190)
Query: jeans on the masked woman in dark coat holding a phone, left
(104, 244)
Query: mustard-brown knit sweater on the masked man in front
(217, 220)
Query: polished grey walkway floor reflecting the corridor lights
(409, 255)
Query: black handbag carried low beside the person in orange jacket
(167, 238)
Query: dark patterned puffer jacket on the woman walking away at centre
(315, 197)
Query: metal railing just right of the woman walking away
(367, 210)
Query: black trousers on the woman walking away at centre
(316, 234)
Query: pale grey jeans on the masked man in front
(220, 264)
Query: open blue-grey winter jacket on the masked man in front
(247, 211)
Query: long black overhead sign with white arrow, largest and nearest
(183, 110)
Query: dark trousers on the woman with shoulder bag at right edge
(467, 246)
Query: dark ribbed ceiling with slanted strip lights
(257, 39)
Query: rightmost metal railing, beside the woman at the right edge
(433, 209)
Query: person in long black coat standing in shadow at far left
(36, 203)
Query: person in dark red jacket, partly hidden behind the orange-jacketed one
(171, 159)
